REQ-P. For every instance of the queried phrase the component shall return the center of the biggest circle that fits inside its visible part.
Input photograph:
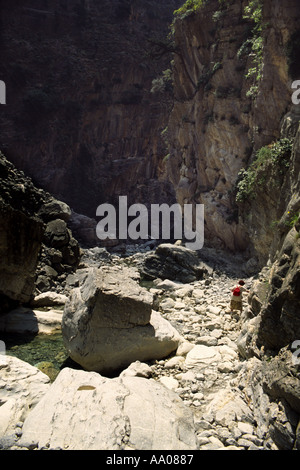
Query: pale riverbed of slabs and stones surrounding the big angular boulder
(206, 382)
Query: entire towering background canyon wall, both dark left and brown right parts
(84, 120)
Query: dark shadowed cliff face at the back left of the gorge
(80, 117)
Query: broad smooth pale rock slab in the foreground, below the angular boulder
(85, 411)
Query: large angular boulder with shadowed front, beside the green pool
(109, 323)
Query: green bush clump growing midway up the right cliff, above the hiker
(270, 161)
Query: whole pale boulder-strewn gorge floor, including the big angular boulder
(154, 368)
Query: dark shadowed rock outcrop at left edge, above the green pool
(29, 247)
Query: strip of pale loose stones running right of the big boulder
(207, 370)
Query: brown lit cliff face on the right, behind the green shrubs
(217, 124)
